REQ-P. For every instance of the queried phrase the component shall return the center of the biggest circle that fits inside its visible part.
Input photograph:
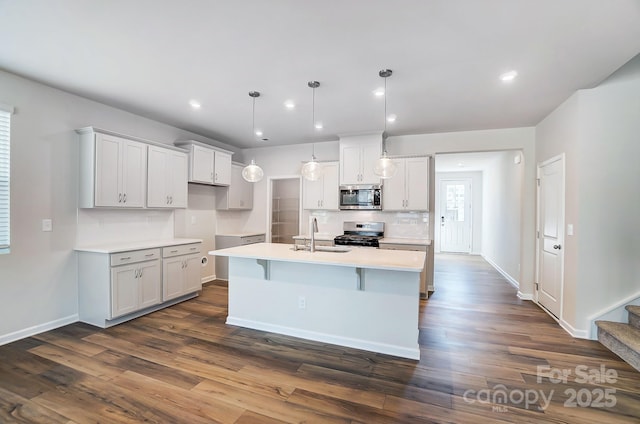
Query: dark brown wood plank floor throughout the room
(481, 349)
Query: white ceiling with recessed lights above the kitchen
(152, 56)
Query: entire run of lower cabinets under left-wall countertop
(116, 287)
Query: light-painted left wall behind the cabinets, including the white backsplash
(38, 279)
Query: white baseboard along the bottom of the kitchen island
(403, 352)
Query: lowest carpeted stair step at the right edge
(622, 339)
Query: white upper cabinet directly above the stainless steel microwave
(357, 158)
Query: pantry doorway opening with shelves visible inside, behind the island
(284, 210)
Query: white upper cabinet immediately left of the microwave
(323, 193)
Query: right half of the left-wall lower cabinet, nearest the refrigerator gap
(180, 271)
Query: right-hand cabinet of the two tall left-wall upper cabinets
(167, 178)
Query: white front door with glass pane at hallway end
(455, 216)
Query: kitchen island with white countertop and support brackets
(364, 298)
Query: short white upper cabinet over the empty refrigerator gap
(207, 164)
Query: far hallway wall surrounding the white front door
(476, 203)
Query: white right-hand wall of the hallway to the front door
(501, 219)
